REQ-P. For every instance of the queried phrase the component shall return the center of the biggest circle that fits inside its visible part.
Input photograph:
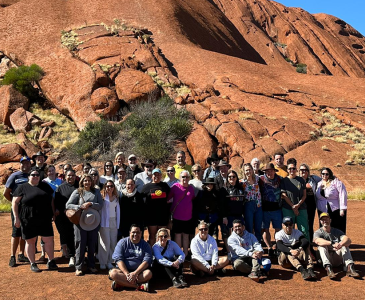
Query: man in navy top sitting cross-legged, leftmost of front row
(133, 257)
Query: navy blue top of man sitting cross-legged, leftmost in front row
(133, 255)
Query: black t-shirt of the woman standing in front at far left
(36, 201)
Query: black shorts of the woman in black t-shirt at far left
(34, 227)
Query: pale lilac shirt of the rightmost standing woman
(336, 196)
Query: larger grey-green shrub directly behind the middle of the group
(152, 128)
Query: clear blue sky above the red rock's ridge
(351, 11)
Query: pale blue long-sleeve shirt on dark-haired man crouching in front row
(243, 246)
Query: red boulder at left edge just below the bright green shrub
(10, 100)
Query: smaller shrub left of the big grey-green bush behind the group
(95, 140)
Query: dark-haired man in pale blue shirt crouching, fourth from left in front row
(245, 250)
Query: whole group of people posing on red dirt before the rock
(120, 204)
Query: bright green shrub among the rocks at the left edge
(23, 79)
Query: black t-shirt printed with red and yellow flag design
(156, 194)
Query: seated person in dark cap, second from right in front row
(294, 247)
